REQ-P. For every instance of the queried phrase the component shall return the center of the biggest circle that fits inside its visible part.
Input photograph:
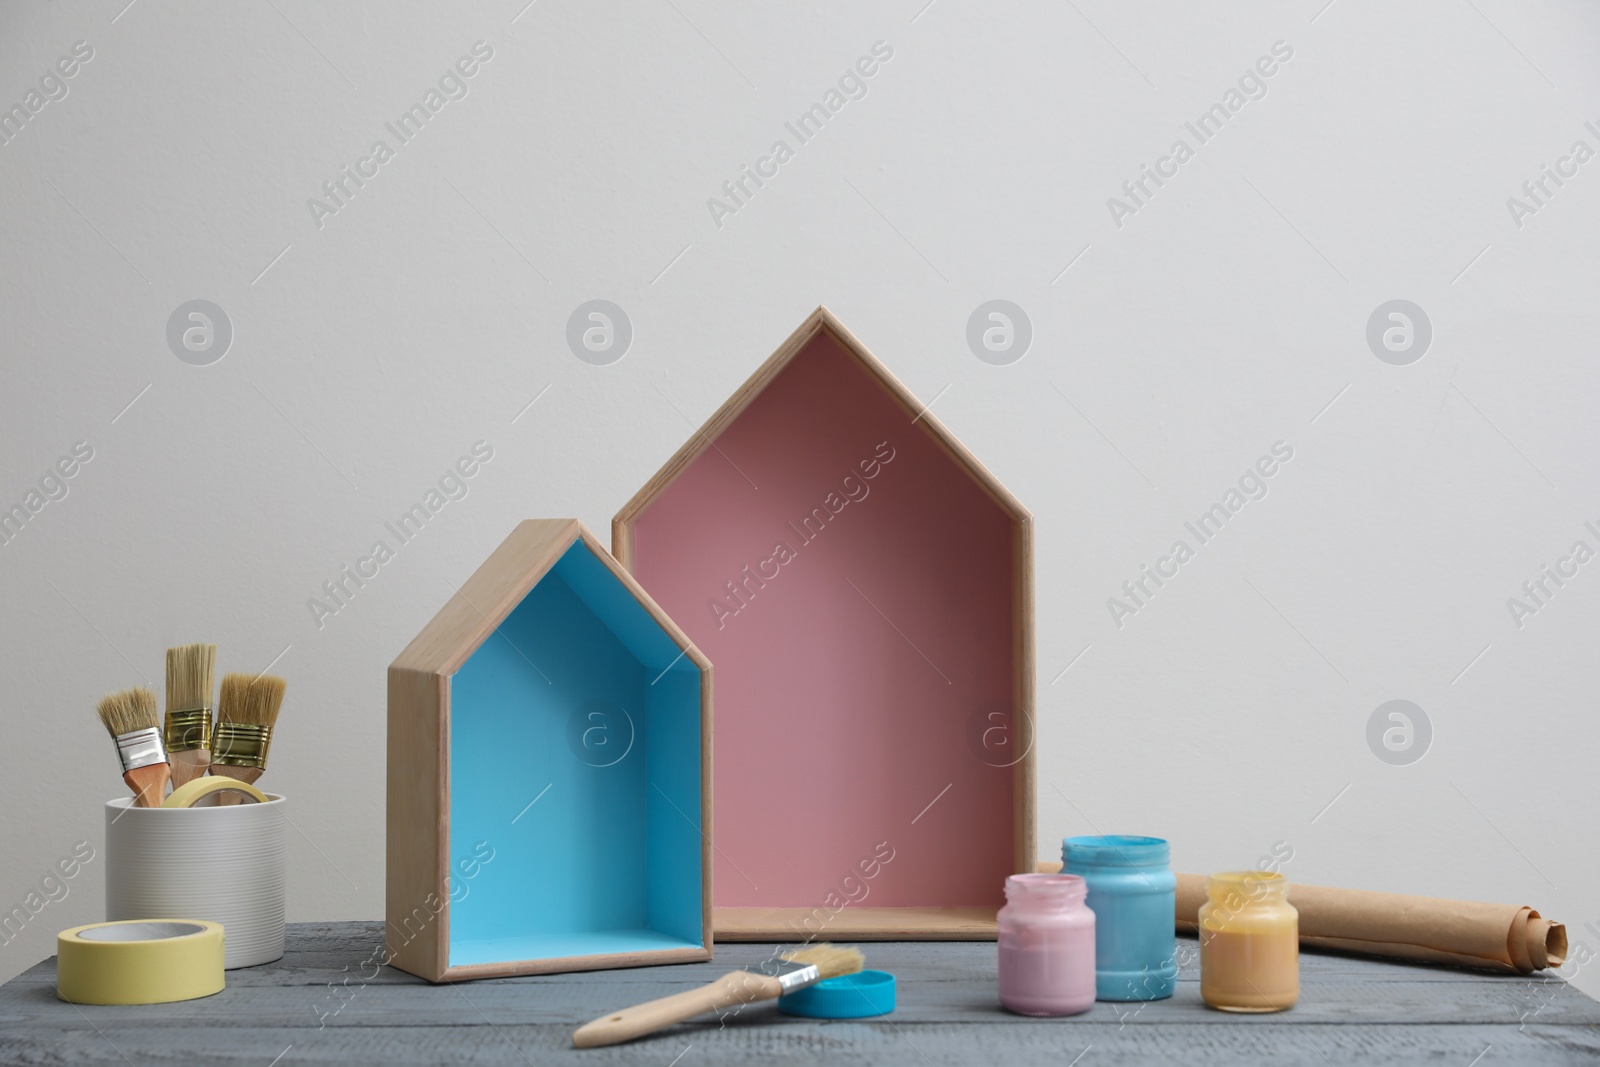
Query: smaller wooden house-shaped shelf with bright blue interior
(550, 773)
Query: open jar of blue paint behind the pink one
(1135, 900)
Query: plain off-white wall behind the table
(1225, 316)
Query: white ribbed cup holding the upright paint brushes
(222, 865)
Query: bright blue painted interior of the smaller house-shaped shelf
(575, 767)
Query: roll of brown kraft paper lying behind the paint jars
(1465, 933)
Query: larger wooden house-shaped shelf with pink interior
(865, 588)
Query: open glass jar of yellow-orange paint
(1249, 943)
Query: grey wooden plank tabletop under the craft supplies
(321, 1005)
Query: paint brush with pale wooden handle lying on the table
(767, 981)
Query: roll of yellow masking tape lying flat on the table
(143, 962)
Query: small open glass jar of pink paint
(1047, 946)
